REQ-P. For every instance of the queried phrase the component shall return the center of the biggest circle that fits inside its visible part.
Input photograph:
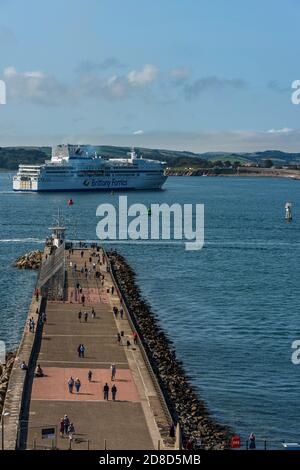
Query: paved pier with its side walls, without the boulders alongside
(75, 279)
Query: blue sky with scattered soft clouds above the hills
(197, 75)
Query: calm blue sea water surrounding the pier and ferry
(232, 309)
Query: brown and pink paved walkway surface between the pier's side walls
(130, 422)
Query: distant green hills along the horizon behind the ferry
(11, 157)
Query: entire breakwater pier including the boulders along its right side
(98, 372)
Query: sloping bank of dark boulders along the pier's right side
(181, 397)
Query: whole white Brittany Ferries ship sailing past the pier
(75, 168)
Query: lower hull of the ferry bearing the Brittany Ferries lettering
(112, 183)
